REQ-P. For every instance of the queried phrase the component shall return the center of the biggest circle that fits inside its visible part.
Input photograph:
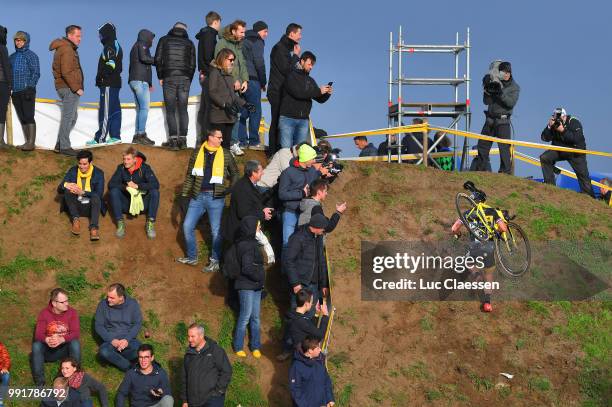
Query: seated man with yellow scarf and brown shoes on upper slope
(82, 190)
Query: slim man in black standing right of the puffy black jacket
(207, 40)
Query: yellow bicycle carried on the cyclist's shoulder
(485, 223)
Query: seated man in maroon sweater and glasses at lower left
(56, 336)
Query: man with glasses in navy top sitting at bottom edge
(147, 384)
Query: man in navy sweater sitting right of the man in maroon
(118, 320)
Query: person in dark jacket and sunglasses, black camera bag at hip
(225, 103)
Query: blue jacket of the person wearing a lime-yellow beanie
(292, 182)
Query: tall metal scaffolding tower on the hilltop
(457, 110)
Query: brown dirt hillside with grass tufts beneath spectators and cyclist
(382, 353)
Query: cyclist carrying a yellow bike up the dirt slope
(485, 249)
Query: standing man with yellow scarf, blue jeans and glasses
(211, 174)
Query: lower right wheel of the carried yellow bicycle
(514, 253)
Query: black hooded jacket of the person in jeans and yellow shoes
(252, 275)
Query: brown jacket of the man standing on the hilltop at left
(67, 70)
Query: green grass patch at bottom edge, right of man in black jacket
(243, 389)
